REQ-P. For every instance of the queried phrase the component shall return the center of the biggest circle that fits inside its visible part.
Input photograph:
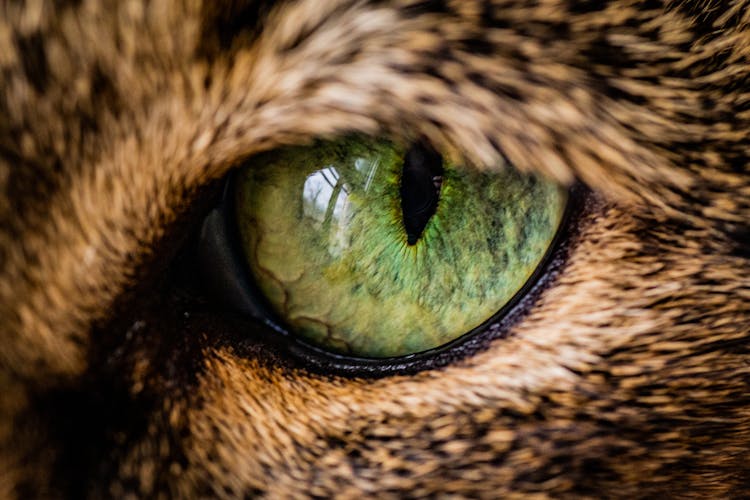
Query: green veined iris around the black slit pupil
(322, 228)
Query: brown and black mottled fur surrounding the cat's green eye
(624, 372)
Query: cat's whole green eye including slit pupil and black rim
(225, 245)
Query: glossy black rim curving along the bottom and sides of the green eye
(220, 245)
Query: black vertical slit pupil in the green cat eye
(420, 189)
